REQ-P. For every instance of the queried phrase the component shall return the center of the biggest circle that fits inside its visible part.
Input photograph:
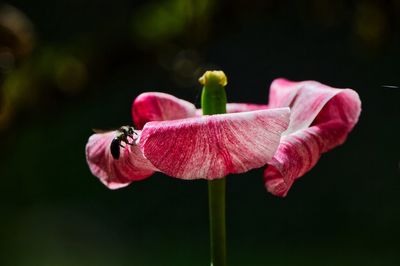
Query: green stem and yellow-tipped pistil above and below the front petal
(213, 101)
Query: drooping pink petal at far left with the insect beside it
(131, 166)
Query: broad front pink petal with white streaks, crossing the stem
(213, 146)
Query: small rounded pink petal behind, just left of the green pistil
(157, 106)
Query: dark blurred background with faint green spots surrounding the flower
(69, 66)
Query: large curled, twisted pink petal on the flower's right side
(321, 118)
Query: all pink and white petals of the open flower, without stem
(301, 121)
